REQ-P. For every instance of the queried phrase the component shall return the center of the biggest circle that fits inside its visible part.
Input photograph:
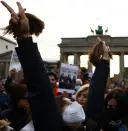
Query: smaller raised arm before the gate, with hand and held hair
(99, 57)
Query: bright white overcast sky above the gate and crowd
(72, 18)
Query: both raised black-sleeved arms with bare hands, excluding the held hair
(45, 114)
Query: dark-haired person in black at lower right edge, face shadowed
(116, 110)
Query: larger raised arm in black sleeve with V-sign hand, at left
(44, 110)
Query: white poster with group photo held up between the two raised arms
(67, 78)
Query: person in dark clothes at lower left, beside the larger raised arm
(18, 112)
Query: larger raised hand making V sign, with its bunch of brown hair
(22, 24)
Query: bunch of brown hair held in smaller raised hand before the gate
(98, 52)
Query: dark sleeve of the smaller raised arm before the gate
(96, 90)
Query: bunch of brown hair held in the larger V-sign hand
(36, 26)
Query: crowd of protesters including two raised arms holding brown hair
(30, 101)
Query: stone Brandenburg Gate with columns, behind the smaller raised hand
(82, 46)
